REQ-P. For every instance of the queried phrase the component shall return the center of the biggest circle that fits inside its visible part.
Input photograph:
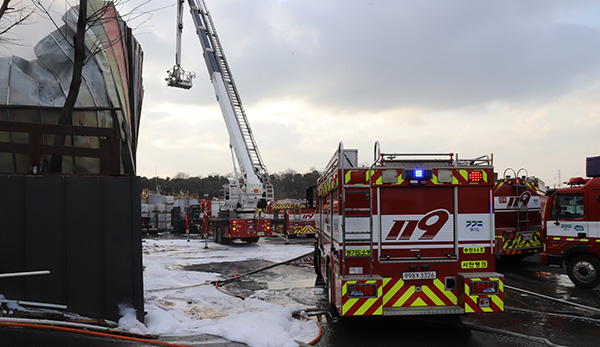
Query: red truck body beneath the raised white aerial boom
(218, 222)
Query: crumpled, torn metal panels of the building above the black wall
(110, 94)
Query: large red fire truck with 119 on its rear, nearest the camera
(409, 235)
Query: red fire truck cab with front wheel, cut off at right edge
(571, 230)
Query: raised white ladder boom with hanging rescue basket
(254, 177)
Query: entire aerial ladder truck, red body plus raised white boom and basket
(237, 214)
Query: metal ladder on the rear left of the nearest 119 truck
(343, 160)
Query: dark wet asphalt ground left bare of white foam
(528, 320)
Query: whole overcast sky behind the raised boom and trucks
(519, 79)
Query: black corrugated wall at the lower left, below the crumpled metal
(85, 230)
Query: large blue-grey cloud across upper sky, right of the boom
(385, 54)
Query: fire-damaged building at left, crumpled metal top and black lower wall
(82, 221)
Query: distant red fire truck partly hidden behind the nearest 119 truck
(294, 217)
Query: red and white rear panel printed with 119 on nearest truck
(415, 223)
